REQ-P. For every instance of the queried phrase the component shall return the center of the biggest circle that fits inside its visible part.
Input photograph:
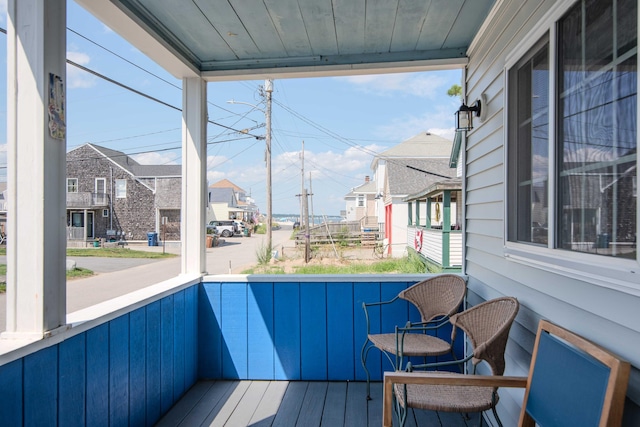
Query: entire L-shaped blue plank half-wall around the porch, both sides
(132, 367)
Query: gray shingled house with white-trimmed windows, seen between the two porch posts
(111, 196)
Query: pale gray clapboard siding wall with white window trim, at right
(604, 310)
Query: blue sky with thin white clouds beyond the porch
(342, 121)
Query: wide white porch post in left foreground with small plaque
(36, 77)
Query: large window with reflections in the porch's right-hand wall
(572, 148)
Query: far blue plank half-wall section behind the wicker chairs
(295, 330)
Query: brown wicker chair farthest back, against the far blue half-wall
(436, 299)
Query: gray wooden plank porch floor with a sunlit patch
(296, 403)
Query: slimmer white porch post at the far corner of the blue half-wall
(194, 180)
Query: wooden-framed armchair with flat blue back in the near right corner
(572, 382)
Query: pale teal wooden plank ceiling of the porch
(245, 35)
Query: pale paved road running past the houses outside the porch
(119, 276)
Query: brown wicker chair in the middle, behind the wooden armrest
(487, 327)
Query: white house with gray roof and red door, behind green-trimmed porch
(408, 168)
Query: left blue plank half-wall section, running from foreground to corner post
(127, 371)
